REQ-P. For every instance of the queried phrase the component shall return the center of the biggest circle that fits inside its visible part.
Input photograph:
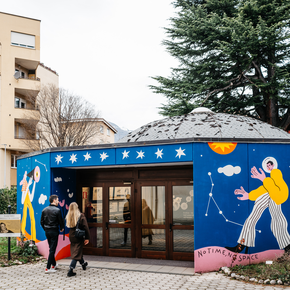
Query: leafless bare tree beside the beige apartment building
(65, 120)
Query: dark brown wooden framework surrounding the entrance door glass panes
(142, 175)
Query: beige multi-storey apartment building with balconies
(21, 77)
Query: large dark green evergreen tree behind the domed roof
(234, 58)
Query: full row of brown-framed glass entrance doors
(144, 220)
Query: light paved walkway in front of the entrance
(110, 276)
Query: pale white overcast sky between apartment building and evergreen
(105, 51)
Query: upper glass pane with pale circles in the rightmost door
(183, 205)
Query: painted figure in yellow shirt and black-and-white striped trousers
(271, 194)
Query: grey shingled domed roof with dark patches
(203, 123)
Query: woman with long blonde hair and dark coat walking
(76, 247)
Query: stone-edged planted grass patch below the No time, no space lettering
(279, 270)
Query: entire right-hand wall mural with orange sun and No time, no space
(243, 218)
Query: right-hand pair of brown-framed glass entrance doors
(165, 221)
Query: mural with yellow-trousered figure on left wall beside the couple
(35, 186)
